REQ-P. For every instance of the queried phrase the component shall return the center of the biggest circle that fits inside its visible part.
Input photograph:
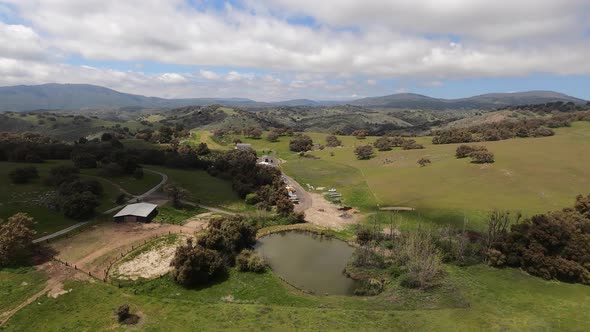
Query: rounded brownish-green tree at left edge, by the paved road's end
(16, 238)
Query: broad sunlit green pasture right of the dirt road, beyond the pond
(530, 175)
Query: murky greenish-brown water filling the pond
(308, 261)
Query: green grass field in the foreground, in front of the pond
(488, 299)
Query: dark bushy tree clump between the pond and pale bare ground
(217, 248)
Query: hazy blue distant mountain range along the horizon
(85, 96)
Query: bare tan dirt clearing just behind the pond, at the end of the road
(326, 214)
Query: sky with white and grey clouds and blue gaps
(284, 49)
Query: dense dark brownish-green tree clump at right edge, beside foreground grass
(555, 245)
